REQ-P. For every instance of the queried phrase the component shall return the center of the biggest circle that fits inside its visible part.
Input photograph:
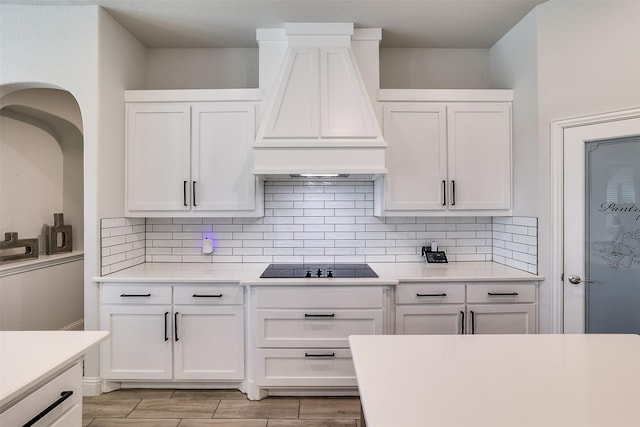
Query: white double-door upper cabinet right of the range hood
(449, 158)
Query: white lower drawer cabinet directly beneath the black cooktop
(301, 333)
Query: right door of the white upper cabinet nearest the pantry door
(479, 155)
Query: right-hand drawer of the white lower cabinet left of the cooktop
(208, 294)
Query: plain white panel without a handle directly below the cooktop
(319, 297)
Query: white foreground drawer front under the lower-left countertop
(38, 401)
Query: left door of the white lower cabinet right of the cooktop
(430, 319)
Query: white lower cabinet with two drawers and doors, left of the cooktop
(179, 332)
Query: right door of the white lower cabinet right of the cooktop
(501, 318)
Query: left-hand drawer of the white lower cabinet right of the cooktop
(431, 293)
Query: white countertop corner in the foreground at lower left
(28, 358)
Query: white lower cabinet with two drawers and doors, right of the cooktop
(496, 308)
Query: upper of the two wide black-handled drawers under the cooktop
(314, 328)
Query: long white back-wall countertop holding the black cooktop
(249, 274)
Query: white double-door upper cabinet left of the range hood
(190, 158)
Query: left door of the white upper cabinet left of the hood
(157, 157)
